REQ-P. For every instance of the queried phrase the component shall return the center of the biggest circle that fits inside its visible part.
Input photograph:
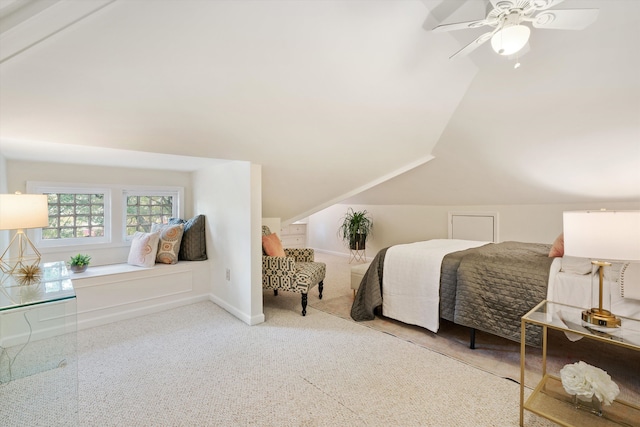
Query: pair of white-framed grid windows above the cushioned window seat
(84, 215)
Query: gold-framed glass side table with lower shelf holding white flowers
(549, 398)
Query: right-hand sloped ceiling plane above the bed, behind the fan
(563, 128)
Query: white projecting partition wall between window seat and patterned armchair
(230, 196)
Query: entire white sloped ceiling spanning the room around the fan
(332, 97)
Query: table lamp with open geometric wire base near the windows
(19, 212)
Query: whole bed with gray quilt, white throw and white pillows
(484, 286)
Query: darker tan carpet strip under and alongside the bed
(492, 354)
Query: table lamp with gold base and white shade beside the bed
(602, 236)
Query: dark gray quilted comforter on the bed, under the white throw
(487, 288)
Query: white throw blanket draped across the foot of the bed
(411, 280)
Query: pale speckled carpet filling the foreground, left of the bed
(199, 366)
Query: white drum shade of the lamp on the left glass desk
(19, 211)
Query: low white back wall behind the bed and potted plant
(394, 224)
